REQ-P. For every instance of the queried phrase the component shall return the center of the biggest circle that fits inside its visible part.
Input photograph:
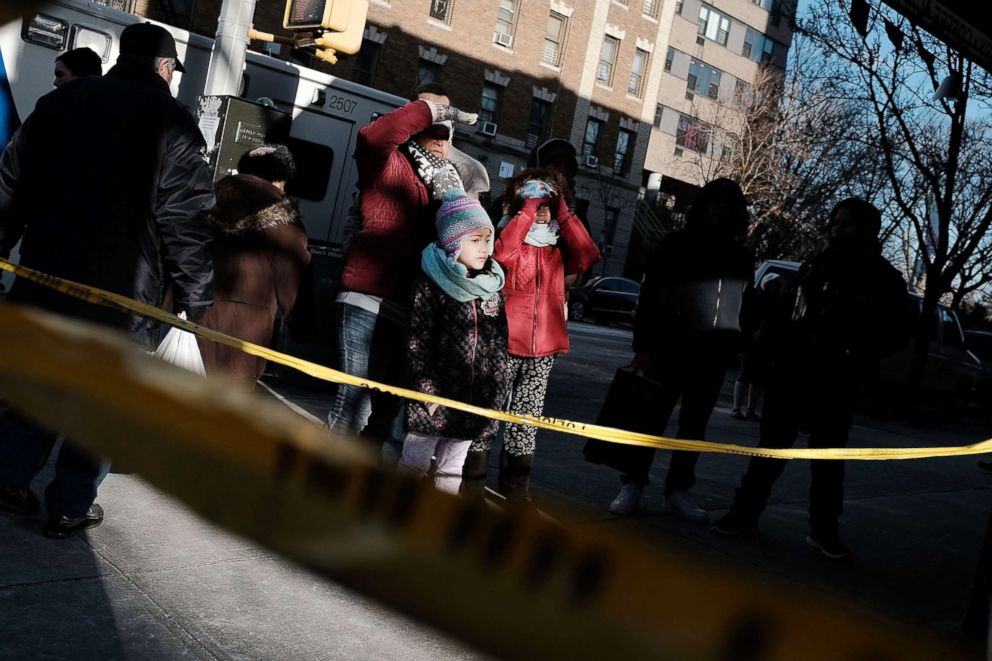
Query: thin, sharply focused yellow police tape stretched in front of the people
(610, 434)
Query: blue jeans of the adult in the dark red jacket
(368, 347)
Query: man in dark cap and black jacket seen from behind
(103, 184)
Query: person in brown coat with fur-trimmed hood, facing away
(260, 258)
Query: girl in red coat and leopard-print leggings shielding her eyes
(541, 242)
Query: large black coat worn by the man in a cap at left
(104, 184)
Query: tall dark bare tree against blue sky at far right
(930, 148)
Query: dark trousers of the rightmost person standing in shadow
(825, 406)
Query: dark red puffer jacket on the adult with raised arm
(396, 208)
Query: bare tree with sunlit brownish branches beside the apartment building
(795, 146)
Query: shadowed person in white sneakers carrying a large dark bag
(686, 332)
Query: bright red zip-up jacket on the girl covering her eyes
(535, 283)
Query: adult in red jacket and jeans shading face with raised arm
(403, 172)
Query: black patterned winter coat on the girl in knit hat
(456, 350)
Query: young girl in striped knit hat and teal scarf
(456, 342)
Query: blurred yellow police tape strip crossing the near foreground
(511, 583)
